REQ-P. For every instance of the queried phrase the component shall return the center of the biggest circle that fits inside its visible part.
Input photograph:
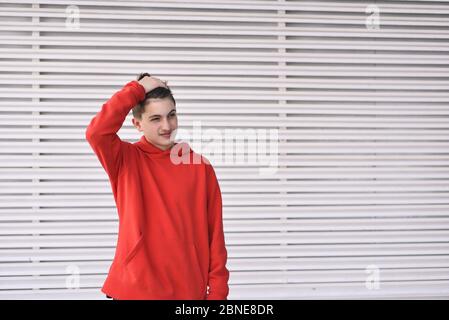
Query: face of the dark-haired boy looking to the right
(158, 119)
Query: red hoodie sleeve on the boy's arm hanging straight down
(218, 273)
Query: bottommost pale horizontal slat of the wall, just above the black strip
(389, 290)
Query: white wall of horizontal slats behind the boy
(362, 113)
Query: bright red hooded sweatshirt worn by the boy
(170, 240)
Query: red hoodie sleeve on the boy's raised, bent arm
(101, 133)
